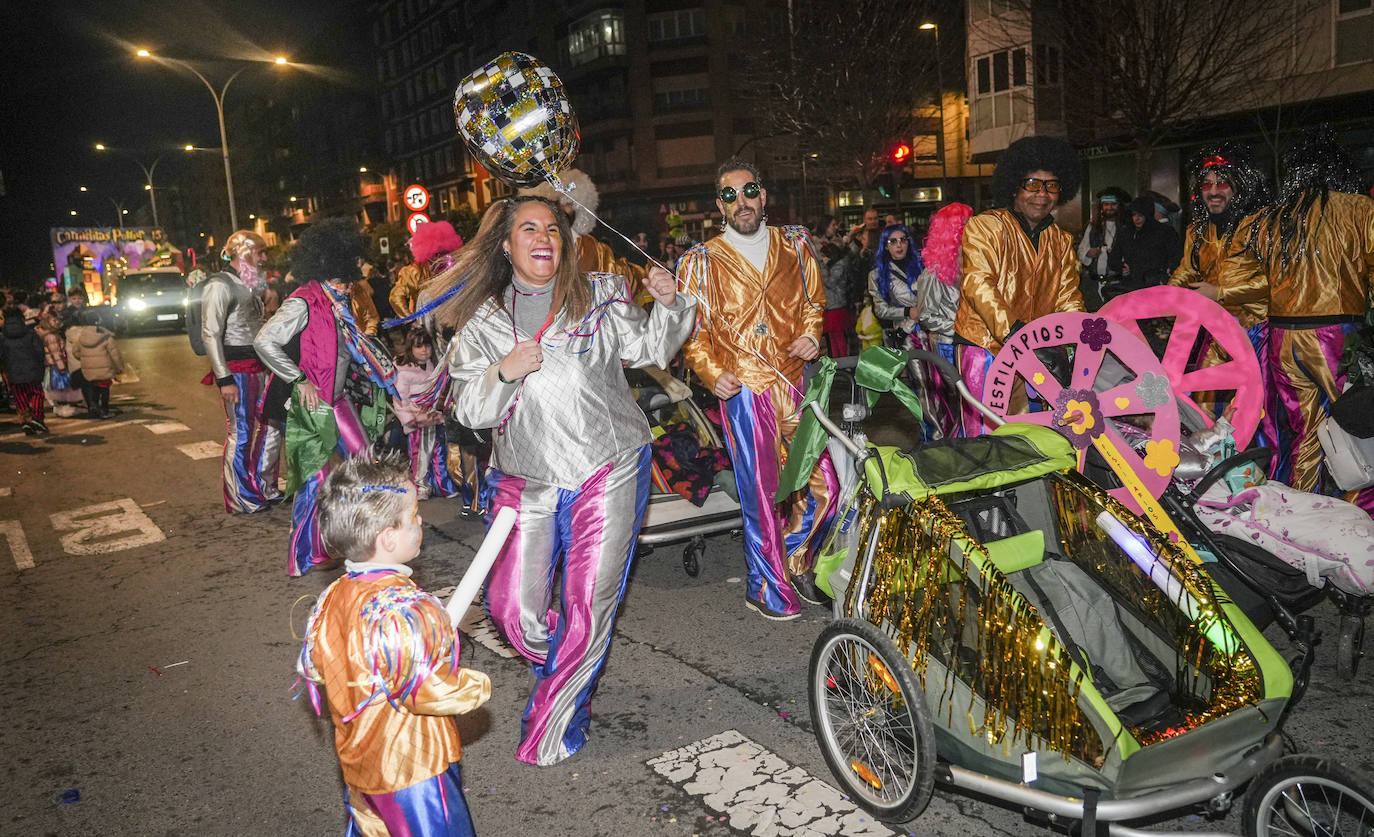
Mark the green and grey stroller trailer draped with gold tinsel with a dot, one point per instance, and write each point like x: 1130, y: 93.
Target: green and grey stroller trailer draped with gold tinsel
x: 1006, y: 626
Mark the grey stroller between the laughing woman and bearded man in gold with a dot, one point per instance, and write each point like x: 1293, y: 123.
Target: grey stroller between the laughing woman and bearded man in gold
x: 671, y: 517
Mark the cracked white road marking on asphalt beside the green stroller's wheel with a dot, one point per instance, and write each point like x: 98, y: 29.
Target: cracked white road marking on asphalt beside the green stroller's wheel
x: 761, y: 794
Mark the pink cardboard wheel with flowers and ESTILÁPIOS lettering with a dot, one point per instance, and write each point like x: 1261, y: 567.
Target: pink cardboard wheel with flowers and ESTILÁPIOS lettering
x: 1114, y: 377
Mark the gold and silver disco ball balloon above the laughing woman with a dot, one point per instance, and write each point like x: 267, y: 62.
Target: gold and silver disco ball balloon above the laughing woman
x: 516, y: 119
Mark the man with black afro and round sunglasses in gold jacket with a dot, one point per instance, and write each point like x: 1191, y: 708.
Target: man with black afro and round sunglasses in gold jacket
x: 1016, y: 263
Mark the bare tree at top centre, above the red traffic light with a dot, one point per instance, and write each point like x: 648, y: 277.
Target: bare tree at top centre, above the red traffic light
x: 846, y: 80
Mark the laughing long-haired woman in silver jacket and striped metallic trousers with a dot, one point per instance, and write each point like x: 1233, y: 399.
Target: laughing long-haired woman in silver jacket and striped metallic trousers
x: 539, y: 358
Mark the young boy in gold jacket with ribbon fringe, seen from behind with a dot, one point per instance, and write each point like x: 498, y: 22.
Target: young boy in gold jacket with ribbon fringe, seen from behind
x: 387, y: 655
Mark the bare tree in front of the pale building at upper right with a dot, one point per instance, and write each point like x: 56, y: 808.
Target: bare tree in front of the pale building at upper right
x: 1160, y: 67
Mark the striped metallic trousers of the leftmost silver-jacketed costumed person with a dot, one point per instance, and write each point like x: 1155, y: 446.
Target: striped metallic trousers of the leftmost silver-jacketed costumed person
x: 252, y: 449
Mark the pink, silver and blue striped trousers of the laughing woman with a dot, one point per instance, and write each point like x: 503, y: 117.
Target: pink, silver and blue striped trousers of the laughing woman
x: 587, y: 538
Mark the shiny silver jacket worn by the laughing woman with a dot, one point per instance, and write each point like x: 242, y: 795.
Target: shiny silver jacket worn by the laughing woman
x: 567, y: 420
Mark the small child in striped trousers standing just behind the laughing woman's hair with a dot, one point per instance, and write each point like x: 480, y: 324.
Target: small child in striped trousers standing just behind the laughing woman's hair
x: 424, y: 429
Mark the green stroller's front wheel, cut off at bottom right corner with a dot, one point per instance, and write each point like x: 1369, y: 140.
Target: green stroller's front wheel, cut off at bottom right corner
x: 1309, y: 795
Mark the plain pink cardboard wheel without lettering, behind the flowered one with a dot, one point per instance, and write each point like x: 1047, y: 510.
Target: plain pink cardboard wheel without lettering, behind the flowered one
x: 1195, y: 315
